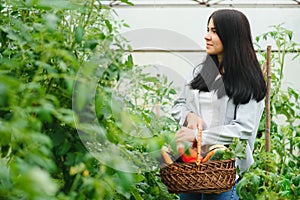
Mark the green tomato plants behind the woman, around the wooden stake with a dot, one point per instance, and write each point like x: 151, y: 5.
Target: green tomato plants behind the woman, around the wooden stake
x: 274, y: 174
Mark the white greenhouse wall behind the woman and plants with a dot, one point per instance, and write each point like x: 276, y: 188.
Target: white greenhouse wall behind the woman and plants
x: 171, y: 38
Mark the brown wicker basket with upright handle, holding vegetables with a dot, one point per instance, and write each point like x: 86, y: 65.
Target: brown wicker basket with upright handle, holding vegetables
x: 209, y: 177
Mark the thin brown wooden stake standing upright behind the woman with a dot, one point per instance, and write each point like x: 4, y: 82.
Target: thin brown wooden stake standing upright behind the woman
x: 268, y: 114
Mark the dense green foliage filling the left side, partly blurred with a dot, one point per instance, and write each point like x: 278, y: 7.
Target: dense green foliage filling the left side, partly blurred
x: 61, y: 62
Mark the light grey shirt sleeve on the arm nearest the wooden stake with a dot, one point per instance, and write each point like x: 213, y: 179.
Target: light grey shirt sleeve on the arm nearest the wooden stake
x: 244, y: 126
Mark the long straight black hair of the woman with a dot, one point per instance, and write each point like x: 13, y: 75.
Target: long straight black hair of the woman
x: 242, y: 77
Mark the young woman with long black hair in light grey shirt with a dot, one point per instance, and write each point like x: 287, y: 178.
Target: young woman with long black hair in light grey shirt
x: 224, y: 95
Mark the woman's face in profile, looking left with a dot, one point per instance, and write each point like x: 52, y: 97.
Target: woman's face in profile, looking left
x: 214, y: 45
